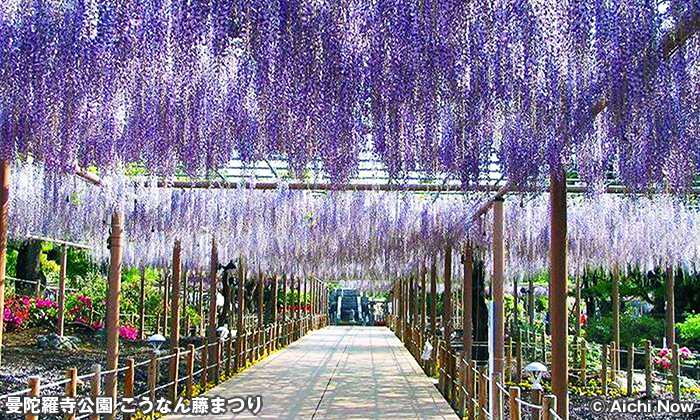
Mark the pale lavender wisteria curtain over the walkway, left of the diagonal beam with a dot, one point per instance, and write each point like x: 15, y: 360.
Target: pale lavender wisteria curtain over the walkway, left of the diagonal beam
x: 357, y: 235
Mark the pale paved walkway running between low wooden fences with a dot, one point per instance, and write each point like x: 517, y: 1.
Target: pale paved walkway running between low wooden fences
x: 338, y: 373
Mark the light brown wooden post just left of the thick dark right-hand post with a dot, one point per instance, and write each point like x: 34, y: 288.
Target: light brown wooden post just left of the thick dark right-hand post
x: 498, y: 298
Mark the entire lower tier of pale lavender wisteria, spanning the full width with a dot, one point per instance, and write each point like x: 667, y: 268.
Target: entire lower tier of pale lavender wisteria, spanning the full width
x: 367, y: 236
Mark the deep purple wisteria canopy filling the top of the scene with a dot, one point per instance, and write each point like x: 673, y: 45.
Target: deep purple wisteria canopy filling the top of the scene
x: 424, y: 84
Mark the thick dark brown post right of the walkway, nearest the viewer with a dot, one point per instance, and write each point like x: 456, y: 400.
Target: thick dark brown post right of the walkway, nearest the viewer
x: 558, y: 292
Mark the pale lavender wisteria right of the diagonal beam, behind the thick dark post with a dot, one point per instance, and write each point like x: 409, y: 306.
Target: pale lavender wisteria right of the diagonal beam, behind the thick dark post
x: 607, y: 231
